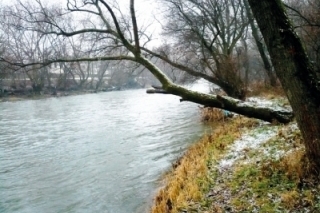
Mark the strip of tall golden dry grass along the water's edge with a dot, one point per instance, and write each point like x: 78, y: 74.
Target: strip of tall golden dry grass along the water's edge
x: 186, y: 185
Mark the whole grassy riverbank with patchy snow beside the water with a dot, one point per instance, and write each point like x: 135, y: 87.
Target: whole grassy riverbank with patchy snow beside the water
x: 243, y: 165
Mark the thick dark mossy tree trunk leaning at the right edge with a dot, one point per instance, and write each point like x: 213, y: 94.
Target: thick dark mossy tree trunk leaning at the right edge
x: 299, y: 79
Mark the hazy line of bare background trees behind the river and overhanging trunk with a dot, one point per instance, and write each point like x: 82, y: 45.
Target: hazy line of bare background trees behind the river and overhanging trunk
x: 215, y: 40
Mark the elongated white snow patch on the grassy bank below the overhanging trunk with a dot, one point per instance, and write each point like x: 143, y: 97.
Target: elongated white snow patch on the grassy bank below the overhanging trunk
x: 248, y: 141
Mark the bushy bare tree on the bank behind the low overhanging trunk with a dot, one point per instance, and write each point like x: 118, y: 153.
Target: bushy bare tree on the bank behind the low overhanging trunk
x: 208, y: 32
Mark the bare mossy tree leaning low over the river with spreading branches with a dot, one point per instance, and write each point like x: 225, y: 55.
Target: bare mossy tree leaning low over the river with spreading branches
x: 125, y: 36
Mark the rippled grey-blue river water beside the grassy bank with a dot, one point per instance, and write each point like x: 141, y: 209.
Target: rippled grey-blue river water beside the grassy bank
x: 90, y: 153
